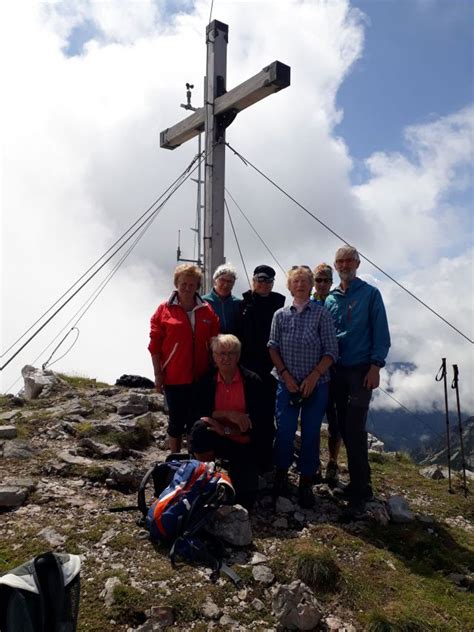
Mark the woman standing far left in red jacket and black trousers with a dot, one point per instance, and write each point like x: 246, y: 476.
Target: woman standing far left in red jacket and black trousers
x: 181, y: 329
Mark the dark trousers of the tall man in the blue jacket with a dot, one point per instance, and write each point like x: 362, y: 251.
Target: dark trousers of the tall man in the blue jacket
x: 352, y: 406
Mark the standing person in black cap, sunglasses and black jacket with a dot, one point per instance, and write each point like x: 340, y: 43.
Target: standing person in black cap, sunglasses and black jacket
x: 258, y: 307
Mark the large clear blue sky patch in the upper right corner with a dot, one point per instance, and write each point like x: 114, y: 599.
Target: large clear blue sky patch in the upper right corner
x: 417, y: 66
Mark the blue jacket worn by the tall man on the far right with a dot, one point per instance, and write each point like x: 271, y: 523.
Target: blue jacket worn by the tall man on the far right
x: 361, y: 324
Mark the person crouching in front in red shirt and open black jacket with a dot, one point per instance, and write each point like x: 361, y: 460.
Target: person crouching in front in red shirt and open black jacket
x: 229, y: 408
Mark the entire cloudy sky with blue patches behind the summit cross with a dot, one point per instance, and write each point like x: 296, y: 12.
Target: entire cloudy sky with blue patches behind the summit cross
x: 374, y: 136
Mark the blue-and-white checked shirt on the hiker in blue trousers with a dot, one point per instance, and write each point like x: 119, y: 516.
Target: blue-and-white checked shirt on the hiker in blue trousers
x: 302, y: 339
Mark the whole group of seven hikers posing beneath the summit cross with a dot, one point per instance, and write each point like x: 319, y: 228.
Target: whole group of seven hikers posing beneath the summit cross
x: 239, y: 374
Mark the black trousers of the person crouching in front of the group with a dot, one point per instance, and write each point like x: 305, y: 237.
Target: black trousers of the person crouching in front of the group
x: 241, y: 456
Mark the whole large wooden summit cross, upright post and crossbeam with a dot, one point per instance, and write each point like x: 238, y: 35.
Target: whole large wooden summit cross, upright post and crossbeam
x: 219, y: 110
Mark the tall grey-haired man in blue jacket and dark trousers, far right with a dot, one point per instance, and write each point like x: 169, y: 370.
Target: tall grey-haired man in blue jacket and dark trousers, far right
x: 364, y: 341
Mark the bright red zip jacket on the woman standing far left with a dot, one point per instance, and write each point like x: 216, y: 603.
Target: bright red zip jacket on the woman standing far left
x: 184, y: 354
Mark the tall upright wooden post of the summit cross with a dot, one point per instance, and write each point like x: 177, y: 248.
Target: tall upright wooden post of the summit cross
x: 216, y: 74
